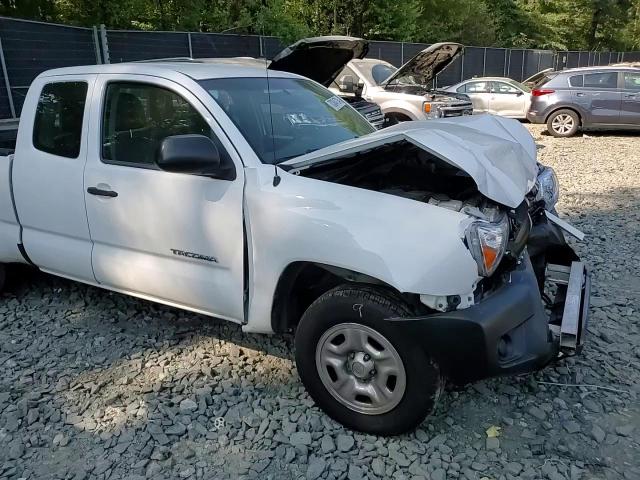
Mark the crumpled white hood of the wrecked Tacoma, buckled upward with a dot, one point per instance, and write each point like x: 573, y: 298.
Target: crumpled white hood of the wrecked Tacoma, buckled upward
x: 498, y: 153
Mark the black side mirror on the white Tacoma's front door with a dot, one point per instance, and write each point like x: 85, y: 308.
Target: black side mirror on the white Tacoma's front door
x: 193, y: 154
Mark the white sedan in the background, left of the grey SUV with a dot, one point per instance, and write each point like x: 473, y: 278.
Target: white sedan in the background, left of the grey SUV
x: 497, y: 95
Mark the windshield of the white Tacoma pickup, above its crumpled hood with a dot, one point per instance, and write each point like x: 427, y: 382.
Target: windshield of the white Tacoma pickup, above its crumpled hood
x: 303, y: 116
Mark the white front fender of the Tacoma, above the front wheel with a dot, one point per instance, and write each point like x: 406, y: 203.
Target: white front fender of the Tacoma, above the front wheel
x: 414, y: 247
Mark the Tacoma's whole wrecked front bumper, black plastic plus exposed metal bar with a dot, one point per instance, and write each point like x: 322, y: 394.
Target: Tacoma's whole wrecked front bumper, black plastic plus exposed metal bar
x: 509, y: 331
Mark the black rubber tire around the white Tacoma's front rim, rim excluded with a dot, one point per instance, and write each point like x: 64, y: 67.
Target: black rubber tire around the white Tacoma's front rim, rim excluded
x: 338, y: 306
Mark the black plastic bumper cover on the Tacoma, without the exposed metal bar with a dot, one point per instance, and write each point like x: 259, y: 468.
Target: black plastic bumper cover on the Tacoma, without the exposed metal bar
x: 465, y: 343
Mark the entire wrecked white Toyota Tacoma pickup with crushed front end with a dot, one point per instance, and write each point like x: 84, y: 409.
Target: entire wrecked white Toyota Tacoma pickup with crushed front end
x: 400, y: 258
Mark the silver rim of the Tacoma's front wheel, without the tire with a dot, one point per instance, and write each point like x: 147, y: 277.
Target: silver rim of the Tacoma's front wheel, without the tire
x: 360, y: 368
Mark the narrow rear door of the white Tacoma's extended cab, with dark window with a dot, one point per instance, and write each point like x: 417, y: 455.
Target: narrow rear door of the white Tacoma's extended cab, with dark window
x: 47, y: 175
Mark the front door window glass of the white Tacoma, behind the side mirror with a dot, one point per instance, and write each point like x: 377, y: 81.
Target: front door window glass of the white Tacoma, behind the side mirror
x: 138, y: 117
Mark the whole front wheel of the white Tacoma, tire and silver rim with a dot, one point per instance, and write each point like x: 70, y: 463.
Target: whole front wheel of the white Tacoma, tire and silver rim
x: 359, y: 367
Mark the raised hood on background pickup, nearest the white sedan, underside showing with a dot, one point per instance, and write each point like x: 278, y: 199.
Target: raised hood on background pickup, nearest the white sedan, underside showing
x: 426, y: 64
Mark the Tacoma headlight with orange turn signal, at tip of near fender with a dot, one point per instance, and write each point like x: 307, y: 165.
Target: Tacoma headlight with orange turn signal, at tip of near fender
x: 487, y: 243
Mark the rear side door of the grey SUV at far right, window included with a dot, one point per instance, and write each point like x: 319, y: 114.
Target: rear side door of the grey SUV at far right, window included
x: 600, y: 96
